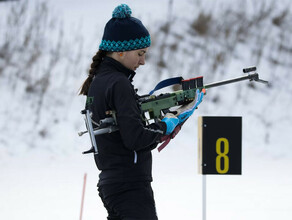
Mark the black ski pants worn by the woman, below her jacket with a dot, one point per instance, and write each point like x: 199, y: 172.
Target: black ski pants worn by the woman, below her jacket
x: 128, y: 201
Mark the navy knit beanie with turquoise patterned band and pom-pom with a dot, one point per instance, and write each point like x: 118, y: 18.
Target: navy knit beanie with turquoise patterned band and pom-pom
x: 123, y: 32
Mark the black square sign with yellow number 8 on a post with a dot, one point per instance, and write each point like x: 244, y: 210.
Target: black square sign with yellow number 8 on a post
x: 219, y: 145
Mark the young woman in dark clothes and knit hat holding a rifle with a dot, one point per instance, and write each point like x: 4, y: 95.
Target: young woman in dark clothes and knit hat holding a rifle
x: 124, y: 157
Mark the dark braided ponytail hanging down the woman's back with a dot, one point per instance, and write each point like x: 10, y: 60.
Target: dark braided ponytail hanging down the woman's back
x: 97, y: 59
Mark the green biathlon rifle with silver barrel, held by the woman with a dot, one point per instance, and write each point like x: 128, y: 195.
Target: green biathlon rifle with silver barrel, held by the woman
x: 157, y: 106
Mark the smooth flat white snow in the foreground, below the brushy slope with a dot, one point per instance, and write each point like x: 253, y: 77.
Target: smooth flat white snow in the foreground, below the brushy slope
x: 42, y: 185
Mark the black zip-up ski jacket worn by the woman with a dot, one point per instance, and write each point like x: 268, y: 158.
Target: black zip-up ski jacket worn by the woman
x: 124, y: 155
